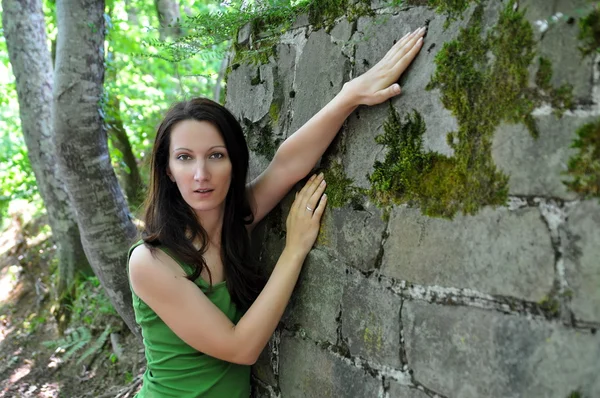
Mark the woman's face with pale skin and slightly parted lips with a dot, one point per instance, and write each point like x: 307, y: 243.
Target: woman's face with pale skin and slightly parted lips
x: 199, y: 164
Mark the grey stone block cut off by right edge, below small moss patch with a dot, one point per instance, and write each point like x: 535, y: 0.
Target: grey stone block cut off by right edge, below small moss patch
x: 582, y: 259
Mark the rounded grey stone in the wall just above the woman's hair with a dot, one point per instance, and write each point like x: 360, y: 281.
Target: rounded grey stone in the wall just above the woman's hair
x: 240, y: 88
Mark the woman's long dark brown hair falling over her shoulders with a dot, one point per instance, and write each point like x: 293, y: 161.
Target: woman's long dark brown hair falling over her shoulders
x: 172, y: 223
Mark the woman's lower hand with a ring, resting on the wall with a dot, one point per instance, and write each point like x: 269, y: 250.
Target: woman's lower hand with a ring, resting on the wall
x: 305, y: 216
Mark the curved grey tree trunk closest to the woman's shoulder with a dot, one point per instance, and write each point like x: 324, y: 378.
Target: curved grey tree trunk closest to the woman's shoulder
x: 102, y: 213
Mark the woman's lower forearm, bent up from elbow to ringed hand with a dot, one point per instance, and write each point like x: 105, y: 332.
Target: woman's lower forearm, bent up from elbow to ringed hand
x: 255, y: 328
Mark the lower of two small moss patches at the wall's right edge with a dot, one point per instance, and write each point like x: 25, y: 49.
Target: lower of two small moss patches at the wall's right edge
x: 584, y: 167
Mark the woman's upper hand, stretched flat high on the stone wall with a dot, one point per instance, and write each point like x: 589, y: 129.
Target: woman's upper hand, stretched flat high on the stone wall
x: 378, y: 84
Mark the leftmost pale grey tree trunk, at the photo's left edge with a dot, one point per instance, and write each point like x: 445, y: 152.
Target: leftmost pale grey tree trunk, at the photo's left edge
x: 25, y: 32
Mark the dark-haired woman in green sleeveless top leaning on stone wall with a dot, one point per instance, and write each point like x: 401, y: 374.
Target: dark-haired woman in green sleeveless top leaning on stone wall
x: 203, y: 310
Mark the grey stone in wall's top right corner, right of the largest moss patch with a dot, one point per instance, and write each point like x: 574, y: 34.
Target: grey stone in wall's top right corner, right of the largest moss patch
x: 559, y: 43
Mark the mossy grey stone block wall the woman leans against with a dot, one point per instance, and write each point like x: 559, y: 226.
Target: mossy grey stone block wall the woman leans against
x: 492, y: 293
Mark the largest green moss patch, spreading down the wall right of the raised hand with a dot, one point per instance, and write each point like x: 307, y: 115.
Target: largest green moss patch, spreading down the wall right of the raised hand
x: 481, y: 94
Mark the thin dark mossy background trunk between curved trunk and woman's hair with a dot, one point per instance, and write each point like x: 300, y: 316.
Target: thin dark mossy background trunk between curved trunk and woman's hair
x: 130, y: 174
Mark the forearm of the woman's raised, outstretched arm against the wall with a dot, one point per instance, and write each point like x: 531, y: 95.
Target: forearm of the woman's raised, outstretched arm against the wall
x: 300, y: 152
